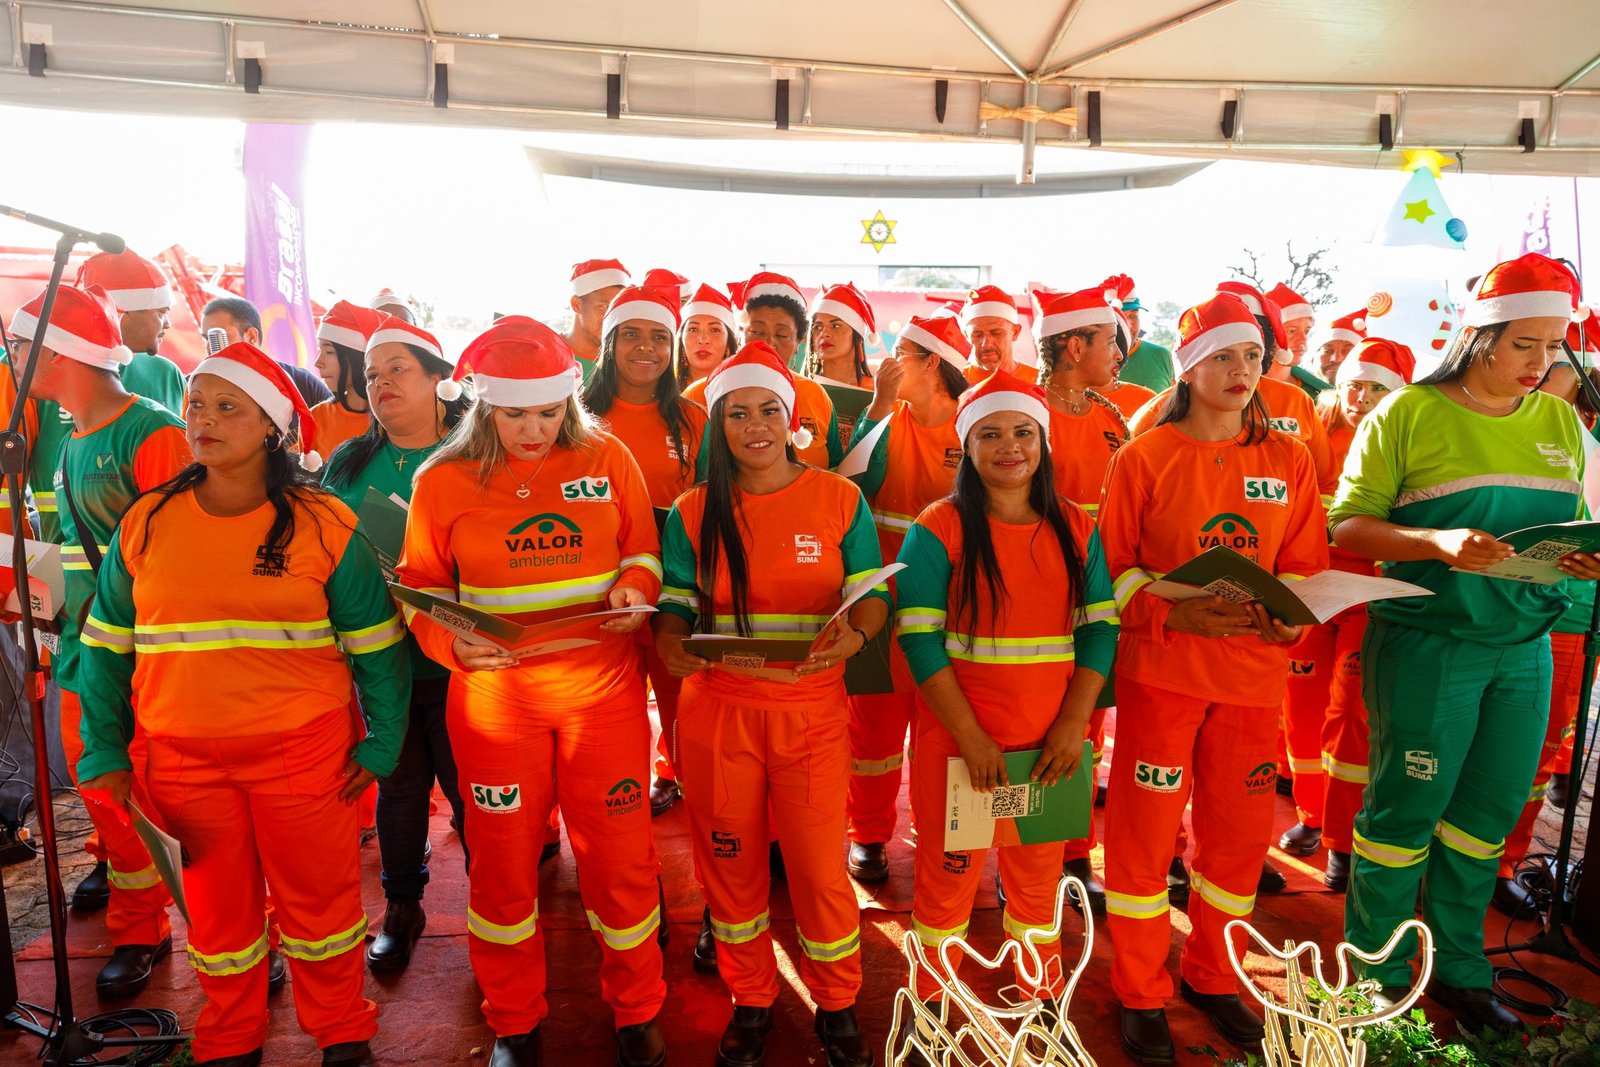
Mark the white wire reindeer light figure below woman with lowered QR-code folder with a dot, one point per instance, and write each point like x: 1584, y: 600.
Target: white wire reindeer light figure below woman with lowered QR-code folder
x: 964, y: 1031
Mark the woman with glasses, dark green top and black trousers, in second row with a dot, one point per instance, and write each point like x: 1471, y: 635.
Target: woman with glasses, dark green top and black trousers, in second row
x: 404, y: 366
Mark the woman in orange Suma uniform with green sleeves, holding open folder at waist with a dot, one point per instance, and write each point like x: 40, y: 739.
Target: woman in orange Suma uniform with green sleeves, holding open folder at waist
x: 754, y: 745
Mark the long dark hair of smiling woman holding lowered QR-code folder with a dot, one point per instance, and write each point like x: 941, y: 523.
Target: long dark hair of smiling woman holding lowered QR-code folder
x: 980, y: 565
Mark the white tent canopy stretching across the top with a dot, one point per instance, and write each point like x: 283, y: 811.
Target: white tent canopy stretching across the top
x: 1295, y: 81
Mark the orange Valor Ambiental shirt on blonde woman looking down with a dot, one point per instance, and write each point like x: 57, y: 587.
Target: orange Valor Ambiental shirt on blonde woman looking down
x: 585, y: 527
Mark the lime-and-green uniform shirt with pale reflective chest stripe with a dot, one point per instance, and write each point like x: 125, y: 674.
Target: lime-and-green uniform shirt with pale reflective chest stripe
x: 1422, y: 460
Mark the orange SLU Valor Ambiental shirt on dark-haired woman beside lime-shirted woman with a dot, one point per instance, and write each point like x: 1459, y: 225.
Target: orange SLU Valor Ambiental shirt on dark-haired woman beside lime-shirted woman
x: 1170, y: 498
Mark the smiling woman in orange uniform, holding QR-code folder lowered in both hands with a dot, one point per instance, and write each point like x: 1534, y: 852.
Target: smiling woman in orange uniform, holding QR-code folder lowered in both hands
x: 1007, y: 621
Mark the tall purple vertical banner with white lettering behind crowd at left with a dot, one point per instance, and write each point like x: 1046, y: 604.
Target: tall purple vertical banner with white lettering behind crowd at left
x: 276, y: 241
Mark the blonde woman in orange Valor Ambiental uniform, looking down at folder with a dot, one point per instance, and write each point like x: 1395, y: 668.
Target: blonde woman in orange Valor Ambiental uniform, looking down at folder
x: 530, y: 511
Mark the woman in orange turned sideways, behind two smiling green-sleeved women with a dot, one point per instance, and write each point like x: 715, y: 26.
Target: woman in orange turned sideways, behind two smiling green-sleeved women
x: 911, y: 466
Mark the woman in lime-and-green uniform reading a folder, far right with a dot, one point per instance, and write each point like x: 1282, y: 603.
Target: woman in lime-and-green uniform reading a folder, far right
x: 1458, y: 685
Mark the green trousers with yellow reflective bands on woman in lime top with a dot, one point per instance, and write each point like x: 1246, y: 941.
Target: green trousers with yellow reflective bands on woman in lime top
x: 1455, y: 743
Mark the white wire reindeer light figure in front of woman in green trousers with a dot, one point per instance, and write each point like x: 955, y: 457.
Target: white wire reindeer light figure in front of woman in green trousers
x: 1326, y: 1033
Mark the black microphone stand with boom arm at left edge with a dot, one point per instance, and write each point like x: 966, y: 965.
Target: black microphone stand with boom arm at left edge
x: 66, y: 1039
